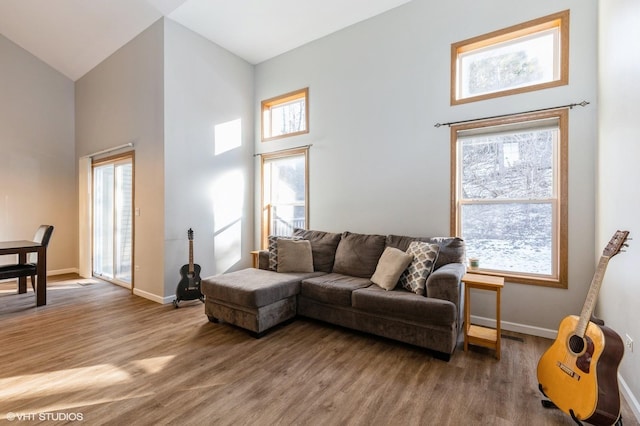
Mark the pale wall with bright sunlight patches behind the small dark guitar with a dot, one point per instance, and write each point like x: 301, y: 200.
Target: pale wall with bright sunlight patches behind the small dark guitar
x: 207, y: 187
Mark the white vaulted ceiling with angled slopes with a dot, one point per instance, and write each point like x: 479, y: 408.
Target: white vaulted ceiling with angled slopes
x: 73, y: 36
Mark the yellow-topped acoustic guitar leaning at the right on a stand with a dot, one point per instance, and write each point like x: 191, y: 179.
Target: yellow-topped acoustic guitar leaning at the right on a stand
x: 579, y: 372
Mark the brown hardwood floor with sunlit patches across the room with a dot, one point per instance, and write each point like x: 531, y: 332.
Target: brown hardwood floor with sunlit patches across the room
x: 98, y: 353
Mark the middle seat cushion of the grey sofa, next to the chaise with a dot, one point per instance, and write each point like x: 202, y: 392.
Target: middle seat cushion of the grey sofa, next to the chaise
x: 334, y: 289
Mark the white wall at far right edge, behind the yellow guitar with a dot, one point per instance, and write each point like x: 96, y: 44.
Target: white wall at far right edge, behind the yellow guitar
x: 618, y: 175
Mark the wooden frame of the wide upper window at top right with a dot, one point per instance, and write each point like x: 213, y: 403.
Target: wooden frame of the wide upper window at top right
x: 558, y: 20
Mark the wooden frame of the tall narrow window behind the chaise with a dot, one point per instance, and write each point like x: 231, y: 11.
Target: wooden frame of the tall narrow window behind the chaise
x: 265, y: 203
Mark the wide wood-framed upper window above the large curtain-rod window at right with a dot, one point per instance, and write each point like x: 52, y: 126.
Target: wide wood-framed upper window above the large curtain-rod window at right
x: 530, y: 56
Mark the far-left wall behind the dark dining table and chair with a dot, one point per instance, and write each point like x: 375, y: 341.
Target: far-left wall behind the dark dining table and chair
x: 37, y: 165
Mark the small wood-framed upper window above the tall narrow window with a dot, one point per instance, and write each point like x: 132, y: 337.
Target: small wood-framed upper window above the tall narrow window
x: 285, y: 115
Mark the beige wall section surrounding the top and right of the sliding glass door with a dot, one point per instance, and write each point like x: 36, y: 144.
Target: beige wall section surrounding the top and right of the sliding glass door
x: 120, y: 101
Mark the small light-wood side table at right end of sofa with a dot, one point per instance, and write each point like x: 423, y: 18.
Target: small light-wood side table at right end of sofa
x: 476, y: 334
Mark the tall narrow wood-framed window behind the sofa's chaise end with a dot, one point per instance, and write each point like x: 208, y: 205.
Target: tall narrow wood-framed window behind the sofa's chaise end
x: 284, y: 192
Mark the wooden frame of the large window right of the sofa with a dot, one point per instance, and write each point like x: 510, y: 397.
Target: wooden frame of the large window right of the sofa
x: 558, y: 278
